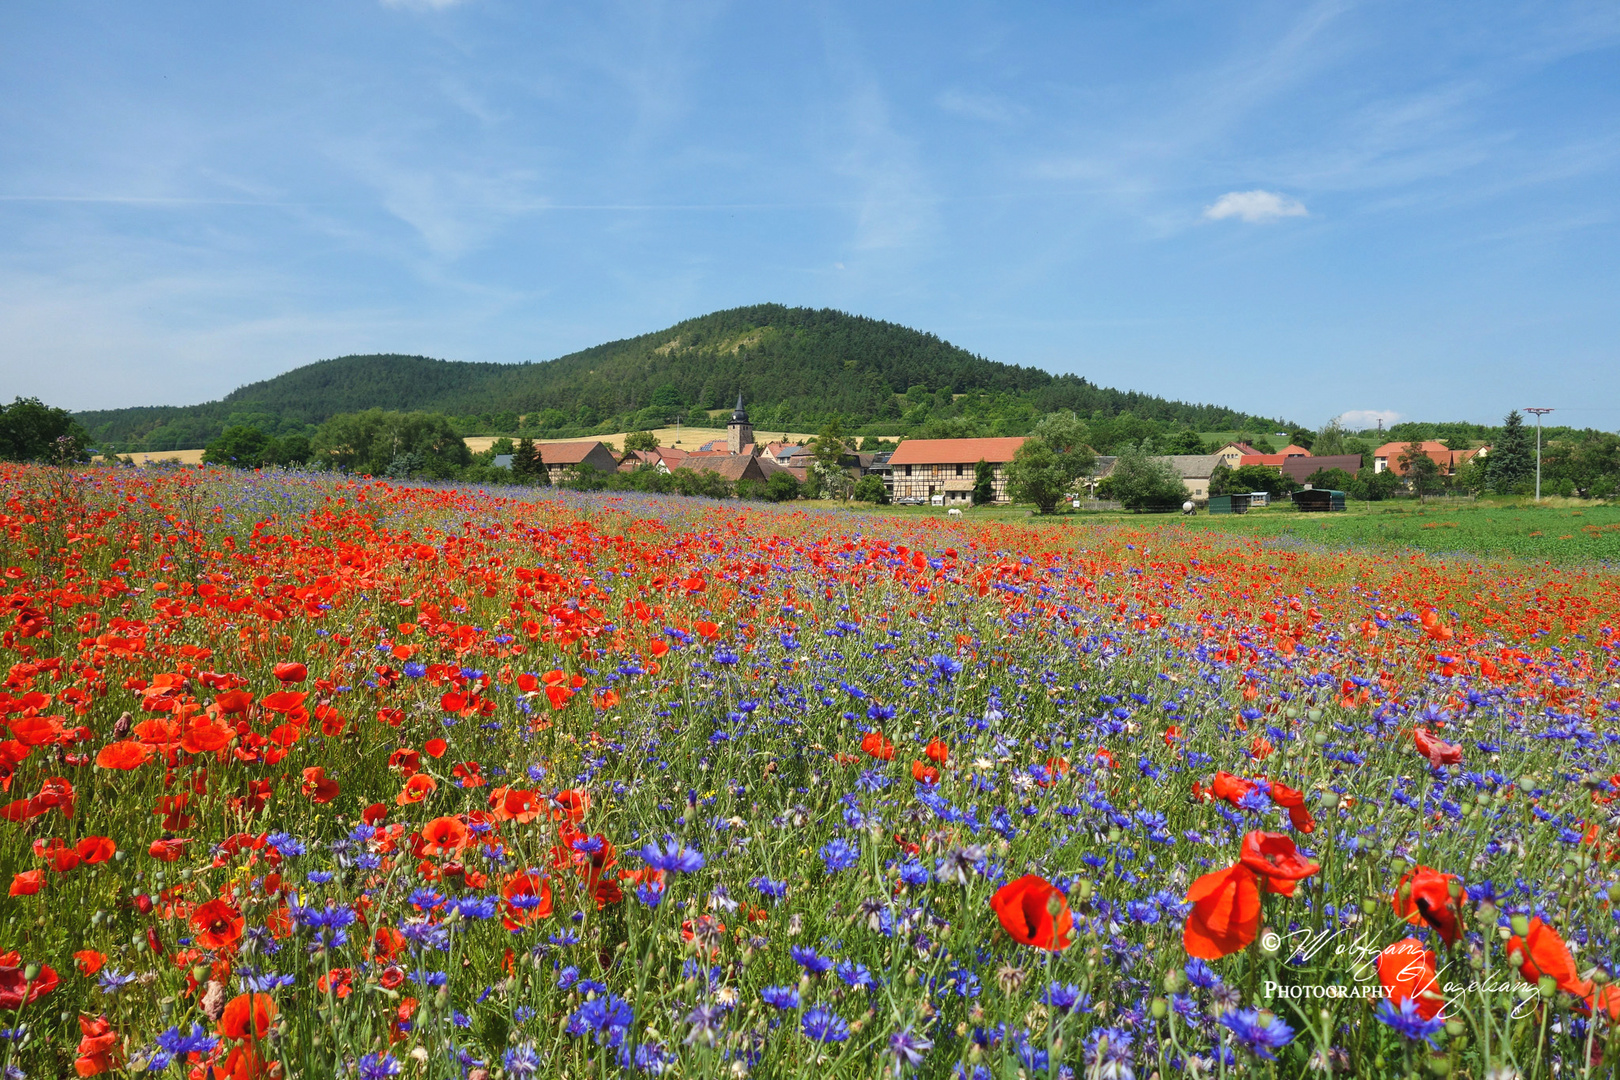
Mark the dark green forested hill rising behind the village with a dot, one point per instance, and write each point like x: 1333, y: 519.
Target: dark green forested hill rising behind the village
x: 798, y: 368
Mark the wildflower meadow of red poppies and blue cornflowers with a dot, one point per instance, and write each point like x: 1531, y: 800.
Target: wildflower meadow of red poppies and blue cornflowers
x: 338, y: 778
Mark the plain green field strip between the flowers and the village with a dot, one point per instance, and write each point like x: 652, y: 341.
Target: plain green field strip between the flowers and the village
x: 1561, y: 530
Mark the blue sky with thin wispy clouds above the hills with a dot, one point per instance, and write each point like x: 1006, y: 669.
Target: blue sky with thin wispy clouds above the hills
x: 1303, y: 210
